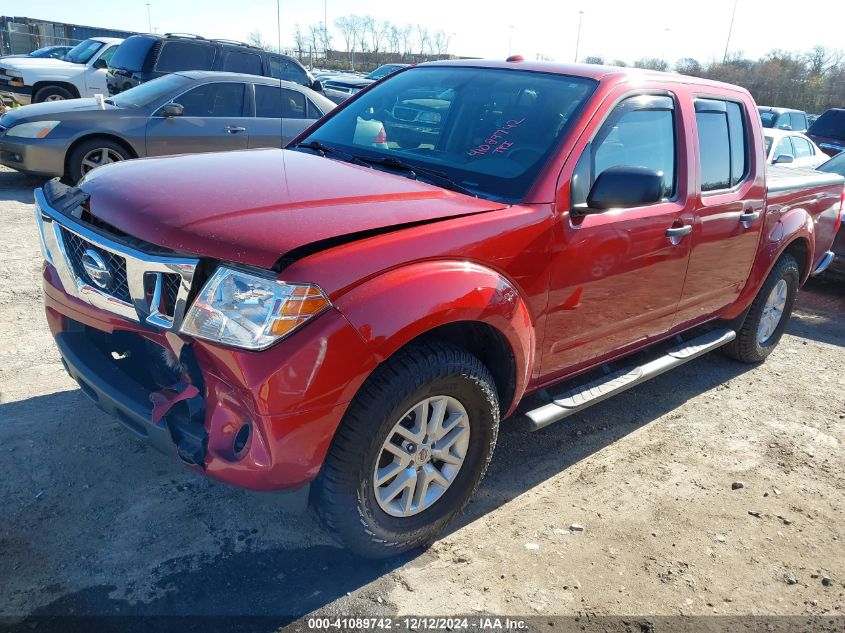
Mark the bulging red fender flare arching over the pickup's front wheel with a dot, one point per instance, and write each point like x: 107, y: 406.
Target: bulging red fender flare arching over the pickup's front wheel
x: 394, y: 308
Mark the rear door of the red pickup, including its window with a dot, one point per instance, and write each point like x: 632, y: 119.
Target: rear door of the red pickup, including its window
x: 729, y: 213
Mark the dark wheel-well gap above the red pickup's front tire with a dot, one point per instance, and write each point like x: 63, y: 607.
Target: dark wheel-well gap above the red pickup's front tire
x: 489, y: 346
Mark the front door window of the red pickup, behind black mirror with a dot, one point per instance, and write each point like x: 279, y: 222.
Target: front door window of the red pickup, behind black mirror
x: 640, y: 132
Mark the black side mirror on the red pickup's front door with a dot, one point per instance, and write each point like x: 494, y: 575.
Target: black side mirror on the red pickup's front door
x: 624, y: 186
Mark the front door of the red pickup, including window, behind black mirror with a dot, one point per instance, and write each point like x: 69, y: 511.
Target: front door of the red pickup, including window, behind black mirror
x: 617, y: 276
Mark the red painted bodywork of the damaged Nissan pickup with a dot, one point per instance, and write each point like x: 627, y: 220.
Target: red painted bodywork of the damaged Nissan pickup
x: 566, y: 293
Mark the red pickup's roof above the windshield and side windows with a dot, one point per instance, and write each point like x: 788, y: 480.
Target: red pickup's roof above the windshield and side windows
x: 590, y: 71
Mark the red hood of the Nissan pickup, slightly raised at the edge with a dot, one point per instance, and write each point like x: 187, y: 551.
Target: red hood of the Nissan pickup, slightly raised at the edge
x: 254, y: 206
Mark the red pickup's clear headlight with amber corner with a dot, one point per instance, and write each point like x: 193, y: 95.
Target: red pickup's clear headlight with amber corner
x: 243, y: 310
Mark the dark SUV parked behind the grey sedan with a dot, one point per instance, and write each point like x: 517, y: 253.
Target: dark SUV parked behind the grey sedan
x: 143, y: 57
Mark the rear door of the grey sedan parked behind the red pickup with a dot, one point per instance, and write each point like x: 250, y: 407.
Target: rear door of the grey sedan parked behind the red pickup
x: 280, y: 115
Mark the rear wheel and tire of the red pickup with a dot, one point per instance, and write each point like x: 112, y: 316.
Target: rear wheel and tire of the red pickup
x: 748, y: 346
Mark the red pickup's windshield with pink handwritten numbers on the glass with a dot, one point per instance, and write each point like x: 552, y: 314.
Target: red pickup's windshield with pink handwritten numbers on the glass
x: 487, y: 130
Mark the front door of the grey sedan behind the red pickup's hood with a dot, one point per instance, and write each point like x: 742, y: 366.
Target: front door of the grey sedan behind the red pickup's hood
x: 214, y: 119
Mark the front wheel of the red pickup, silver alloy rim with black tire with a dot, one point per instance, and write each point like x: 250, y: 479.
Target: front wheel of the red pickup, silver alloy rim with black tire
x: 346, y: 496
